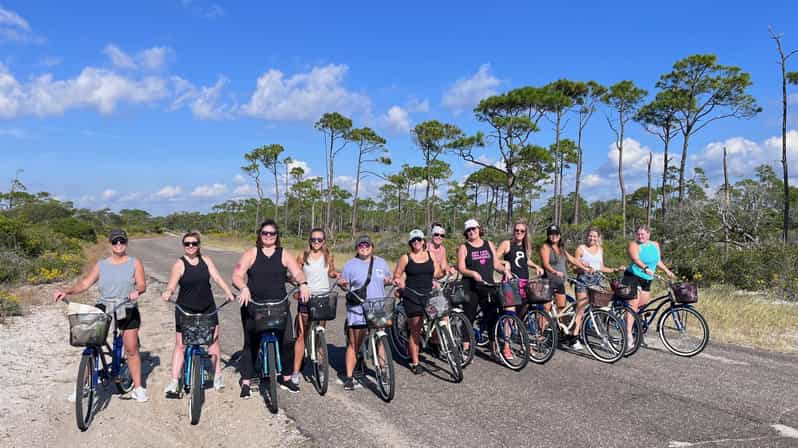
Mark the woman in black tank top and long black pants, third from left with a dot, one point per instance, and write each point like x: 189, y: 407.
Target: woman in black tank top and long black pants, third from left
x: 266, y: 267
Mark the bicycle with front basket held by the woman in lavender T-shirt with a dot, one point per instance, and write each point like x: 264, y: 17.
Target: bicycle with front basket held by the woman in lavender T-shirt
x: 379, y: 314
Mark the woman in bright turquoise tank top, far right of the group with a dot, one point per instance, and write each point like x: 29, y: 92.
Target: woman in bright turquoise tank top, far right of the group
x: 645, y: 258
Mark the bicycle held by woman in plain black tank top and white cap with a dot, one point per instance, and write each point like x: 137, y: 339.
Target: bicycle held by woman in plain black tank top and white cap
x: 434, y: 324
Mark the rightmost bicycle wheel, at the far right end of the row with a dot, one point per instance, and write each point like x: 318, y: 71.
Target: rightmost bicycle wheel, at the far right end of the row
x: 683, y: 331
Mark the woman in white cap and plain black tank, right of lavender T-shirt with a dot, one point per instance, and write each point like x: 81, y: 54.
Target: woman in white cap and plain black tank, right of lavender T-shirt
x: 414, y: 273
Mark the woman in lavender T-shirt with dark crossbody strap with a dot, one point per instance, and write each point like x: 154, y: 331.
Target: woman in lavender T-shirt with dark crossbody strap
x: 364, y: 271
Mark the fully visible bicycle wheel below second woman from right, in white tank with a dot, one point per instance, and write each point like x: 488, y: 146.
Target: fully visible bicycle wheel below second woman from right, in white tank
x: 603, y: 334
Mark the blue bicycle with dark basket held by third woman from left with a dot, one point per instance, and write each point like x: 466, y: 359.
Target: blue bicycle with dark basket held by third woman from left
x: 269, y: 318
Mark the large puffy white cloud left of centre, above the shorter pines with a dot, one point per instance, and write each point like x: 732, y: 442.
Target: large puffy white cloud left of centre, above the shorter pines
x: 304, y: 96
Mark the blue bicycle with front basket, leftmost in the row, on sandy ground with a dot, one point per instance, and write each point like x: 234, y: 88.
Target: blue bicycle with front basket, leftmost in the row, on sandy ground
x: 89, y: 329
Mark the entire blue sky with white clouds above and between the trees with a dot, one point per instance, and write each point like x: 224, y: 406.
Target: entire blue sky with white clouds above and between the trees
x: 152, y: 104
